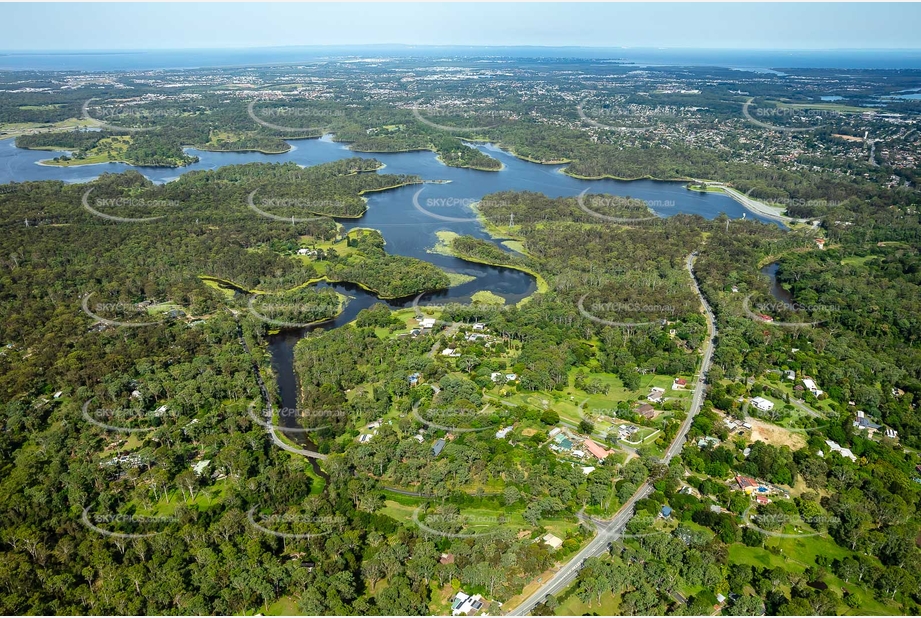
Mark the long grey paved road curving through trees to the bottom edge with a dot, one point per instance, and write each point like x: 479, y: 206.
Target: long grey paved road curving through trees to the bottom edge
x: 609, y: 530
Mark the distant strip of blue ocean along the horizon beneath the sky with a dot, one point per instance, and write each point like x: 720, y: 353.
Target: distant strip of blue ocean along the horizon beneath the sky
x: 139, y: 60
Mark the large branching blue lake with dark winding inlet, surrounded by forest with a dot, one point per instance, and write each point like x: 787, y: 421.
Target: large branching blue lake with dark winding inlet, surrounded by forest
x: 407, y: 230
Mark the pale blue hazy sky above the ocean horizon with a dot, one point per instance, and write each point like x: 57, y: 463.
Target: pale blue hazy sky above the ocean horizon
x: 122, y: 26
